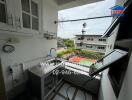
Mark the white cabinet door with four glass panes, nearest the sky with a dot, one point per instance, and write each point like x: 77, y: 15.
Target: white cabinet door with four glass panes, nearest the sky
x: 27, y: 16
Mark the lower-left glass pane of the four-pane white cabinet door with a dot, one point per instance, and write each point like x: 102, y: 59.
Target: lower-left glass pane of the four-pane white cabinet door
x: 26, y: 20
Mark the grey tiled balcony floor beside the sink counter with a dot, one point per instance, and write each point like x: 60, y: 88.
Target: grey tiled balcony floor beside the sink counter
x: 74, y: 93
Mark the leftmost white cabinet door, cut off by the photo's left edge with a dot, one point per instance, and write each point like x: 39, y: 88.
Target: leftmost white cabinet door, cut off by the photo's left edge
x: 6, y: 15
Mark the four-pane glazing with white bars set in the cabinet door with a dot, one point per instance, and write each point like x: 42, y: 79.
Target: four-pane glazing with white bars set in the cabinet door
x: 30, y: 14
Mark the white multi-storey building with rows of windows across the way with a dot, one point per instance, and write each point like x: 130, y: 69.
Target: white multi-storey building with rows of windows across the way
x: 91, y: 42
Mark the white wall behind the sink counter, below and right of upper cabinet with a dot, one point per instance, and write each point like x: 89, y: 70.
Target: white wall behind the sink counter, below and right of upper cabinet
x: 29, y: 47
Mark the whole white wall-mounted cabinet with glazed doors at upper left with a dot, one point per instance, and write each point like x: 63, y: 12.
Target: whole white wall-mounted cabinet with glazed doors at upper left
x: 21, y: 16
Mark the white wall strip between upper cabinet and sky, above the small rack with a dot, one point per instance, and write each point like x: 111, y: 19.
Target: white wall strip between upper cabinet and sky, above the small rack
x: 50, y: 14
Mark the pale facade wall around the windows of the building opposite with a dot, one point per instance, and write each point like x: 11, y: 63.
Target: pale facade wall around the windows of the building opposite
x: 95, y: 43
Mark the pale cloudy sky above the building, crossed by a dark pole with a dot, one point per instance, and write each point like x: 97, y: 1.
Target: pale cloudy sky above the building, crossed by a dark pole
x: 94, y: 26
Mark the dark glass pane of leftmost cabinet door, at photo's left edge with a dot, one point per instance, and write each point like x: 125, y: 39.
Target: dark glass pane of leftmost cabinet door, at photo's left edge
x: 2, y: 13
